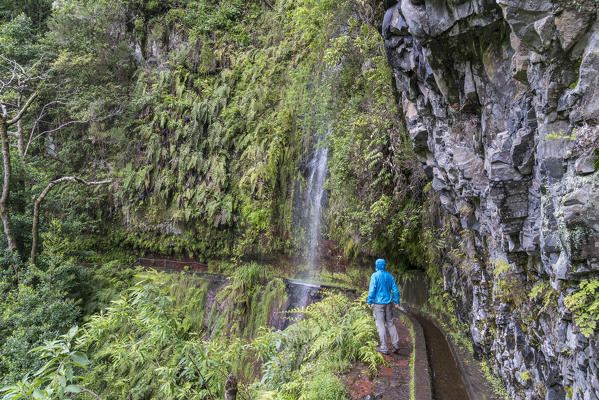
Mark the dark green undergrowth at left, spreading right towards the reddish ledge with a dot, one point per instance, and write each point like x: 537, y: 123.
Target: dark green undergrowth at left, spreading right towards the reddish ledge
x: 41, y: 302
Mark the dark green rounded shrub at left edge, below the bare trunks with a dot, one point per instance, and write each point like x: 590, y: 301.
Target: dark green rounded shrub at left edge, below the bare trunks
x: 37, y: 303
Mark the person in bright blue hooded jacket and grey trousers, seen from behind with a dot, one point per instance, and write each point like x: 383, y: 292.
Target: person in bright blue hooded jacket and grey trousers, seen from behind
x: 380, y: 298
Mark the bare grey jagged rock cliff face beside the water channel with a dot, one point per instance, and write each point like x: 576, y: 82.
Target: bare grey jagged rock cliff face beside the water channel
x: 501, y: 100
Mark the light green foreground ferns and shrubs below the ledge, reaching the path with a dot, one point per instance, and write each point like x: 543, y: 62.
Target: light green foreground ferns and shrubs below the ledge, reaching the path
x: 156, y: 341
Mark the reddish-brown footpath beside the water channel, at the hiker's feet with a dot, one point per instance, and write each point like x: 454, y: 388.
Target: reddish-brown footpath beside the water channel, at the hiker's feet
x: 392, y: 382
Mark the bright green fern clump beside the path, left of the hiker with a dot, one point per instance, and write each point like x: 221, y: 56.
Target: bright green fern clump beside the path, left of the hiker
x: 328, y: 336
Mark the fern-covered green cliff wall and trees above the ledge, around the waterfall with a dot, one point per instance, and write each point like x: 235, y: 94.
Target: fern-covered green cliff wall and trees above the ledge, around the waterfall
x: 201, y: 114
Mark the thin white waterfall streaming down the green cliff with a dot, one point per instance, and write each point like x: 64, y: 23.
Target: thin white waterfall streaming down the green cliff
x: 314, y: 196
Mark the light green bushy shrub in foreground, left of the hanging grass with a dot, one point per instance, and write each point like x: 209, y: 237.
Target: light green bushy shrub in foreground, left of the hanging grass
x: 144, y: 345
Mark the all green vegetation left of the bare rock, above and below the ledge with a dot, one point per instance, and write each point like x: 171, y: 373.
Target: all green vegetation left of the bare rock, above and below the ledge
x: 184, y: 127
